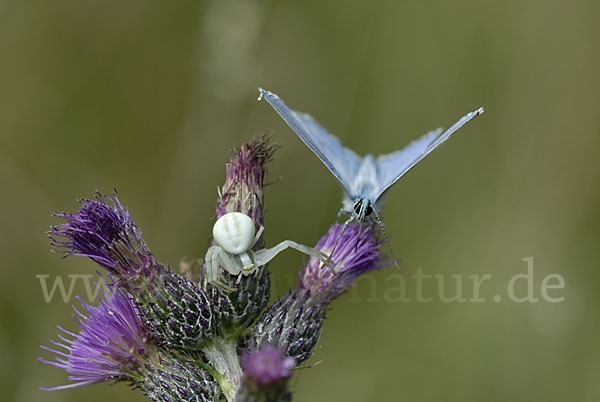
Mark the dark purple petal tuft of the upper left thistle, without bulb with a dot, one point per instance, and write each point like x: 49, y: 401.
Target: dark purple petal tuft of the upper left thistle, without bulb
x: 102, y: 230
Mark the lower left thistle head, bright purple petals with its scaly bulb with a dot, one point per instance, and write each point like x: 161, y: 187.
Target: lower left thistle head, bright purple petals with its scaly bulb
x: 113, y: 346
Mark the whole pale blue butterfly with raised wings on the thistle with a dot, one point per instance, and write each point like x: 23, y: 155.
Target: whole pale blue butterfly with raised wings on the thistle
x: 363, y: 179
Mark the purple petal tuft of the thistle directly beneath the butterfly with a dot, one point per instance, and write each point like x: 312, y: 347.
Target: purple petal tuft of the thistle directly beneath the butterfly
x: 357, y: 252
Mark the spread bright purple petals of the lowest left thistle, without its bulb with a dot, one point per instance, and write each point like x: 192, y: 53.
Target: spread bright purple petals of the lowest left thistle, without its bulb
x: 112, y: 344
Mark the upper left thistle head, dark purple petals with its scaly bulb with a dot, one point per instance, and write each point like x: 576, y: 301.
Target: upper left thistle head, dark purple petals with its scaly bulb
x: 174, y: 309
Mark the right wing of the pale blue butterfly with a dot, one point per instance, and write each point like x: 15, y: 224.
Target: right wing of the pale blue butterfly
x: 392, y: 167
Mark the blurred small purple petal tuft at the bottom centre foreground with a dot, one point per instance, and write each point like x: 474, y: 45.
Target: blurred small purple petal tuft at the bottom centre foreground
x: 267, y: 366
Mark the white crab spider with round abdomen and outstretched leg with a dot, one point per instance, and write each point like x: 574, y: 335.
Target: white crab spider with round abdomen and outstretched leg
x: 235, y: 236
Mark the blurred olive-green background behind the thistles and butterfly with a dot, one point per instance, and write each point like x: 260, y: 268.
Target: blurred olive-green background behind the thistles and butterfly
x: 148, y: 97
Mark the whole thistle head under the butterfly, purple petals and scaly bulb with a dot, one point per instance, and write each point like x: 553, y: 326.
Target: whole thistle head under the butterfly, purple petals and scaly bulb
x: 295, y: 321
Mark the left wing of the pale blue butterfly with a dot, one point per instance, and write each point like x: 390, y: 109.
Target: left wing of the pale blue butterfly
x: 341, y: 161
